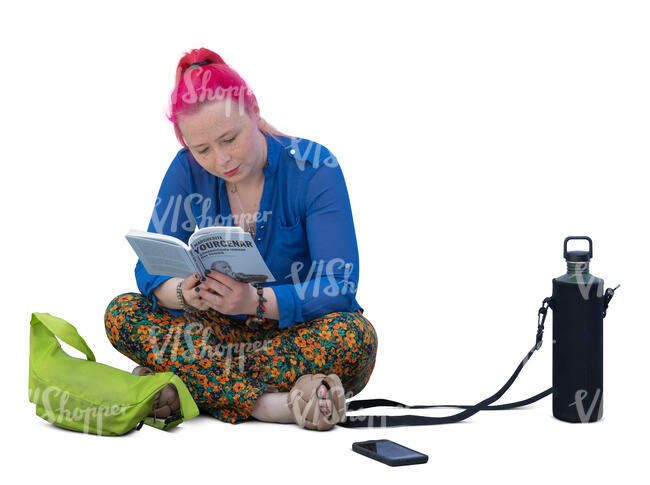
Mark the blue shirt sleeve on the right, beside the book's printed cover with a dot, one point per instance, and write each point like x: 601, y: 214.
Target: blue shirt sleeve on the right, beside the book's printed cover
x: 333, y: 251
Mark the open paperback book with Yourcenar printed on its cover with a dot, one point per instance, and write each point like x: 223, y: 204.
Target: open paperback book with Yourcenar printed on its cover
x: 227, y: 249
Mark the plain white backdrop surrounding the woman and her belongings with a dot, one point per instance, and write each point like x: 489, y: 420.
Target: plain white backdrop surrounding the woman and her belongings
x: 475, y: 136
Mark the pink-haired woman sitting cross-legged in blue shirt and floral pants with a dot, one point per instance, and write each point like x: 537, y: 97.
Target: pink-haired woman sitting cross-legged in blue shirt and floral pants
x: 286, y: 351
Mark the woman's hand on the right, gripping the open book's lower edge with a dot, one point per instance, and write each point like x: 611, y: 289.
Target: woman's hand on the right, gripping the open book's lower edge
x: 227, y: 295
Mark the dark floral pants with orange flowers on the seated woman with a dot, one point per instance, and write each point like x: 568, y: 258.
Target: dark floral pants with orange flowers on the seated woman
x: 226, y: 366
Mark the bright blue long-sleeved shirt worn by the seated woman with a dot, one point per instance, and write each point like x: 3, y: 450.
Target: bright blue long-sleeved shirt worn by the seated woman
x: 304, y: 230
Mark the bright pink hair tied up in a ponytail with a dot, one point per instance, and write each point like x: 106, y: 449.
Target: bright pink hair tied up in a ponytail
x: 206, y: 83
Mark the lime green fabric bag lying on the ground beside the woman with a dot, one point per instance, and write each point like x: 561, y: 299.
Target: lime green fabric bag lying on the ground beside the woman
x: 84, y: 395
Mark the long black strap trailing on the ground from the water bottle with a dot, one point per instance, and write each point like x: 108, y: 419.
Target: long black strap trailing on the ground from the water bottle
x: 414, y: 420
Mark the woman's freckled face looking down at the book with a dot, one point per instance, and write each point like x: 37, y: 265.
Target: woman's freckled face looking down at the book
x: 222, y: 139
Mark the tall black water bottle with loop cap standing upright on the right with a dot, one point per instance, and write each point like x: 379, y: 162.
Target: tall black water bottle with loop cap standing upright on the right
x: 578, y: 306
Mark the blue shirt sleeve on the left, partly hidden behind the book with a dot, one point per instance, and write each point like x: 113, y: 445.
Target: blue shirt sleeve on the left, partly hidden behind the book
x: 170, y: 216
